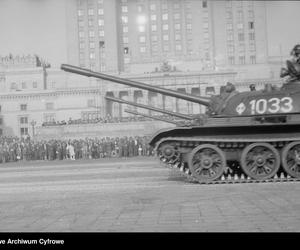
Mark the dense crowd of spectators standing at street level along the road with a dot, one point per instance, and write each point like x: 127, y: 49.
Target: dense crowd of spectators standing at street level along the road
x: 25, y: 149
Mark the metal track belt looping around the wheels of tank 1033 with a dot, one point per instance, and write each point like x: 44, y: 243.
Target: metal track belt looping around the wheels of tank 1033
x: 230, y: 177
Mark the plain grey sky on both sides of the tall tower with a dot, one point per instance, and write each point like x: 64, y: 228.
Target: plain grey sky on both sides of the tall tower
x: 38, y: 27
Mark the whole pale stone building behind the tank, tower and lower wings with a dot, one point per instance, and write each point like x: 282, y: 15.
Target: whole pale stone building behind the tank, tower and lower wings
x: 189, y: 46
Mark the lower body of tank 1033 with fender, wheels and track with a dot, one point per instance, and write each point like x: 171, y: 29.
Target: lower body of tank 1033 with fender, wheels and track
x: 253, y: 153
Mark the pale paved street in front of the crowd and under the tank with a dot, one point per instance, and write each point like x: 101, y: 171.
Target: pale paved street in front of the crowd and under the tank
x: 137, y: 195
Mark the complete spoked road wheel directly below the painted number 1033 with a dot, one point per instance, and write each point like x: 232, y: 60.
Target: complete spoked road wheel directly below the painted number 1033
x: 260, y: 161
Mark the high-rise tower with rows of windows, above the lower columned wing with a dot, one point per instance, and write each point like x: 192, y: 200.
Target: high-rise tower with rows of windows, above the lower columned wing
x: 135, y: 36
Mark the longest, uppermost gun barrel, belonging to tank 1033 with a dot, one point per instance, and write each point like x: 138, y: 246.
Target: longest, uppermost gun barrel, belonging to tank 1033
x: 86, y: 72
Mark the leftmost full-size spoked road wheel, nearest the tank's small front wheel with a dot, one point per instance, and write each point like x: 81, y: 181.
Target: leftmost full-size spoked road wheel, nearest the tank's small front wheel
x: 207, y: 162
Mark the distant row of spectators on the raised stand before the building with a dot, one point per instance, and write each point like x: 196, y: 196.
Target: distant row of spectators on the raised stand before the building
x: 106, y: 119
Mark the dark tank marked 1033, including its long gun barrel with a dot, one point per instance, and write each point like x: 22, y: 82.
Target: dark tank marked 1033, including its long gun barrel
x: 251, y: 136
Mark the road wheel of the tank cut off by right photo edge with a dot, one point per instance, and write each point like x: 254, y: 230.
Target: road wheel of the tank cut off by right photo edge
x: 290, y: 159
